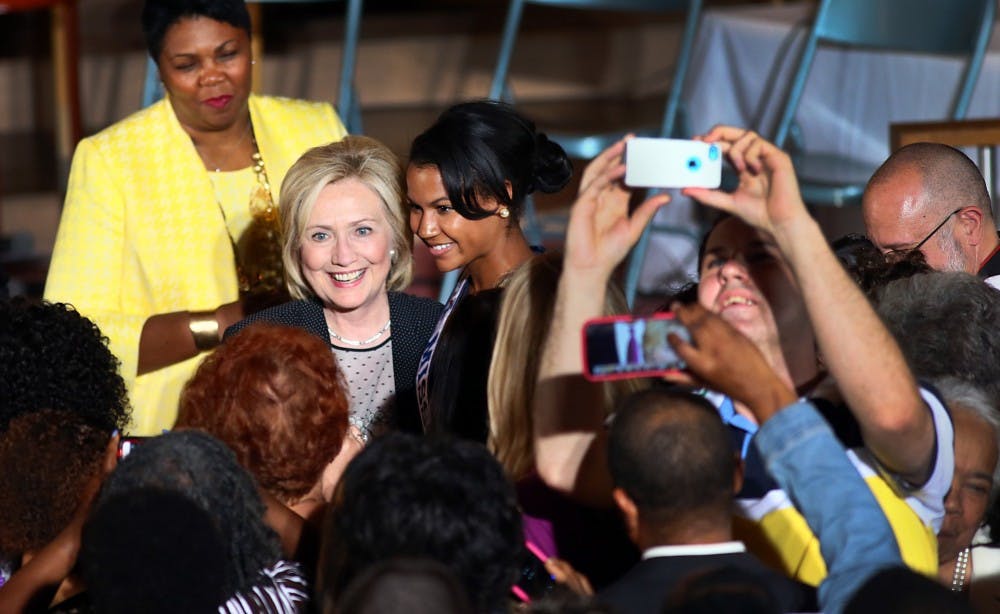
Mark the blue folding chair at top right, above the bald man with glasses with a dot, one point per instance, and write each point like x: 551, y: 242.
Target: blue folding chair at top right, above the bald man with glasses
x: 954, y: 28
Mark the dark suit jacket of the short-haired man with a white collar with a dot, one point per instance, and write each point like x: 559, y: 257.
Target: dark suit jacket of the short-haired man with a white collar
x: 646, y: 586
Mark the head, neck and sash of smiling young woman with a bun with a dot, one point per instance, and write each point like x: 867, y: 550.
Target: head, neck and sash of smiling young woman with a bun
x: 467, y: 180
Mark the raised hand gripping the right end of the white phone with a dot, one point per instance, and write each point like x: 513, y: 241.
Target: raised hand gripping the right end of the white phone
x: 768, y: 193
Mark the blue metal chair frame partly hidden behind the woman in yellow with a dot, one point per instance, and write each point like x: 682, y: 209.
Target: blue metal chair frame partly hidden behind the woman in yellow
x: 348, y: 105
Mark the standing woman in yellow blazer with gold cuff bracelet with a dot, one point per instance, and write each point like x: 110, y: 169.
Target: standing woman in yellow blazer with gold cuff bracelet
x: 169, y: 230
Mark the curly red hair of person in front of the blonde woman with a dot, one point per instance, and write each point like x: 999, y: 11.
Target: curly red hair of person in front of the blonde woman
x: 275, y: 396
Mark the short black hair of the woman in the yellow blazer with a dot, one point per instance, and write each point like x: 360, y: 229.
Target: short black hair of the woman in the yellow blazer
x: 159, y: 15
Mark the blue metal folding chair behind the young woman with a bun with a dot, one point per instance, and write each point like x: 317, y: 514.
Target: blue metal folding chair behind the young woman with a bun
x: 586, y: 146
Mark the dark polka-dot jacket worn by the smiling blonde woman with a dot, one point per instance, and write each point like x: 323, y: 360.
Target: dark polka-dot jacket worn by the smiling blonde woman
x: 413, y: 321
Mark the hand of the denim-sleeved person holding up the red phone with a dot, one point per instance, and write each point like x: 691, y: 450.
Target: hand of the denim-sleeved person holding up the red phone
x: 724, y: 360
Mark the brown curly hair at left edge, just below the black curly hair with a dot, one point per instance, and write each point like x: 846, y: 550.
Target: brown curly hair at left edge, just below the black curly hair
x: 48, y: 456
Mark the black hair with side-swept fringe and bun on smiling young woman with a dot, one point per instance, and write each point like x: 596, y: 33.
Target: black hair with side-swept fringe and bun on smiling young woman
x: 481, y: 147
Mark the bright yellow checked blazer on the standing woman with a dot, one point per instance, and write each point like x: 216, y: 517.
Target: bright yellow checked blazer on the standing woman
x: 141, y: 233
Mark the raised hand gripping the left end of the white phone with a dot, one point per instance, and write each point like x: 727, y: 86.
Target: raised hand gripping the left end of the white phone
x: 601, y: 231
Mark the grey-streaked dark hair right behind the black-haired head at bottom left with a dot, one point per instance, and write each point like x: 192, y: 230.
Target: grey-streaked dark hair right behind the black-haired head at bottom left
x: 202, y: 469
